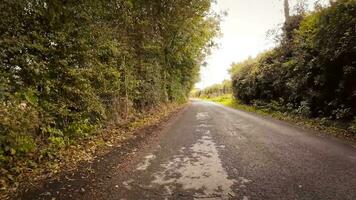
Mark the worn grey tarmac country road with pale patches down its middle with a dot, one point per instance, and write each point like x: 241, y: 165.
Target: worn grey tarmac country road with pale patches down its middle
x: 214, y: 152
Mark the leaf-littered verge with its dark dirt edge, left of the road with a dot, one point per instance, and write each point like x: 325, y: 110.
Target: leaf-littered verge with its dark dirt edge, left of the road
x: 78, y: 159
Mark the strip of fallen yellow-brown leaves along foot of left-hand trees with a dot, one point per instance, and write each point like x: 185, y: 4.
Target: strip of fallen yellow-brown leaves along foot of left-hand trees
x: 28, y: 171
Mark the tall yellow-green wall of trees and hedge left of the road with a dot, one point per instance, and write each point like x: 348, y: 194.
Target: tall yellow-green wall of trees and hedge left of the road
x: 68, y: 68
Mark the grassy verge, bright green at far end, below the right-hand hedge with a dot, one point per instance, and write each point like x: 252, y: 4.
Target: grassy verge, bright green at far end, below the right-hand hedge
x: 327, y: 126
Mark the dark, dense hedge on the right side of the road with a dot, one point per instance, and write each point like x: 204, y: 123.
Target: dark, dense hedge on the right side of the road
x: 313, y: 70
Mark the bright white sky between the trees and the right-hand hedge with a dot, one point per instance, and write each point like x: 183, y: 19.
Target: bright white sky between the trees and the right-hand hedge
x: 244, y: 34
